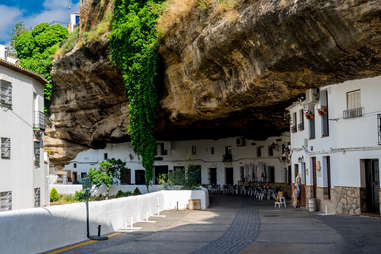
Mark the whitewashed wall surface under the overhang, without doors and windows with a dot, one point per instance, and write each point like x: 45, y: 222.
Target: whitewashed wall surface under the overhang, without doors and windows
x: 180, y: 151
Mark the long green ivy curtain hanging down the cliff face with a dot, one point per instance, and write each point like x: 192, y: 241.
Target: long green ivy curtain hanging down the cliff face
x: 133, y: 44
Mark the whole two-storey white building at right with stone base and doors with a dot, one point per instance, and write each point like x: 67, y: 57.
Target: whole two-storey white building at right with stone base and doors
x: 337, y: 151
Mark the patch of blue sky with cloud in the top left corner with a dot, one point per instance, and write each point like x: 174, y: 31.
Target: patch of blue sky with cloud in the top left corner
x: 32, y: 12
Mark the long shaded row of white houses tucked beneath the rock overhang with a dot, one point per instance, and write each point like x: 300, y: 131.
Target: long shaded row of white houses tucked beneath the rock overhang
x: 224, y: 161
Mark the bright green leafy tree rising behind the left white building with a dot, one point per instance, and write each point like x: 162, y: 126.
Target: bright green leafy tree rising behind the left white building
x: 36, y: 48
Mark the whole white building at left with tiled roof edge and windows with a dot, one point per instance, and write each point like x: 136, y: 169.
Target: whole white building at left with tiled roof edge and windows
x: 22, y: 169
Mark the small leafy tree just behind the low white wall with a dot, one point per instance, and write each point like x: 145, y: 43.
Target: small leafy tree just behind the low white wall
x: 107, y: 174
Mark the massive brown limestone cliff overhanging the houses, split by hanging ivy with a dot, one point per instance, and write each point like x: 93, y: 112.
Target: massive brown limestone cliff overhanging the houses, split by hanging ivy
x: 223, y: 75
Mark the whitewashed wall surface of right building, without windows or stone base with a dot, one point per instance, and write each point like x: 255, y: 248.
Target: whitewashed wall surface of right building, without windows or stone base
x: 349, y: 141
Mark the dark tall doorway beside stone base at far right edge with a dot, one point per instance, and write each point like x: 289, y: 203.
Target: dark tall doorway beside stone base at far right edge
x: 372, y: 185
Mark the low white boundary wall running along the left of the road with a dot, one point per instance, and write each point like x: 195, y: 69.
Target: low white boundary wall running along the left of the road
x: 41, y: 229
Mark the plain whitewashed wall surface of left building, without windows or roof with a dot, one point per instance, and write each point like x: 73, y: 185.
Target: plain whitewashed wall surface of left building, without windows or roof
x: 19, y: 174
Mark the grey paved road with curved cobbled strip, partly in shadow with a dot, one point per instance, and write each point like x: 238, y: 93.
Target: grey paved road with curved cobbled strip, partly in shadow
x: 239, y: 225
